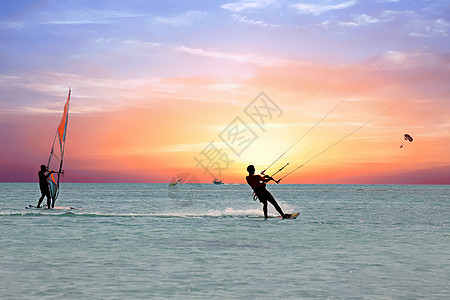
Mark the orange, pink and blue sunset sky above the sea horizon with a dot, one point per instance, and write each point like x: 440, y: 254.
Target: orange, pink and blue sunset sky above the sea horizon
x: 162, y: 88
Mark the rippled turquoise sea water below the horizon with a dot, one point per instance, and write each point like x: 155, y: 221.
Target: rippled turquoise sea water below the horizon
x: 204, y: 241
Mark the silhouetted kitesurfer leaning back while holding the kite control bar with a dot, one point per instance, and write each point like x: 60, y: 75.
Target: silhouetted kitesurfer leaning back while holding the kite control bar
x: 258, y: 184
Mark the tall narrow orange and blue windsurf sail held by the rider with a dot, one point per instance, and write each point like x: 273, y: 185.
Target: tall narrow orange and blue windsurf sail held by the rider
x: 55, y: 160
